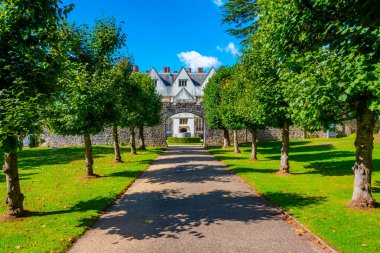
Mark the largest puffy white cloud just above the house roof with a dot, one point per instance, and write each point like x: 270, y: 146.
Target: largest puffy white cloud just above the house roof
x: 195, y: 60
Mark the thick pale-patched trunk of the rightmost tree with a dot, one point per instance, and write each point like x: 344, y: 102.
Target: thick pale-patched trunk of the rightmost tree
x: 362, y: 197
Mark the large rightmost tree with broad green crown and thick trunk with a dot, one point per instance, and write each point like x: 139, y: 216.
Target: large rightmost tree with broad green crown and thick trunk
x: 333, y: 65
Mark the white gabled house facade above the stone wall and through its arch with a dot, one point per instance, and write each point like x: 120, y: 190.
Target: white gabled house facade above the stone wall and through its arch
x: 184, y: 86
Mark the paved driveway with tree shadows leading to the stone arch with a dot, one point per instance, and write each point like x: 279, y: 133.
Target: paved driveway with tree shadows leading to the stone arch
x: 188, y: 202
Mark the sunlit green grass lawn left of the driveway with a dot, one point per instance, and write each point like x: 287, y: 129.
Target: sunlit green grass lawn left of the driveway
x: 61, y: 204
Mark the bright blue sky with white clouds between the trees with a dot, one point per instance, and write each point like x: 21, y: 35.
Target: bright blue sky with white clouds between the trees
x: 171, y: 33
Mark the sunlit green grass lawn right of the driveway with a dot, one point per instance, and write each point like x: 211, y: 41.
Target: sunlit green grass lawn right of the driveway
x: 318, y: 190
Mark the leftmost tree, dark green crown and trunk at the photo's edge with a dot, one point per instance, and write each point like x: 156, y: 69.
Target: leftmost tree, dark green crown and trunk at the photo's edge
x: 29, y: 67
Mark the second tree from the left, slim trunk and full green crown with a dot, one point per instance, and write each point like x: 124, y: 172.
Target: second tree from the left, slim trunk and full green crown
x: 84, y: 107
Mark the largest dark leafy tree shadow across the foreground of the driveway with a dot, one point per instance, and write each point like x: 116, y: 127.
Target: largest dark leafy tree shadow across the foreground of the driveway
x: 169, y: 213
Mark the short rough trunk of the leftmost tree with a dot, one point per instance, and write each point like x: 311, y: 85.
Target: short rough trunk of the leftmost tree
x: 14, y: 198
